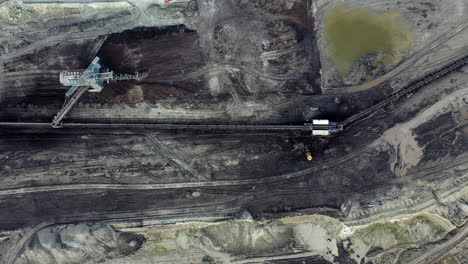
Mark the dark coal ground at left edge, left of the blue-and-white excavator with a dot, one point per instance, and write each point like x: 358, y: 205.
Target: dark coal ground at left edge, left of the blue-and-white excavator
x: 36, y: 79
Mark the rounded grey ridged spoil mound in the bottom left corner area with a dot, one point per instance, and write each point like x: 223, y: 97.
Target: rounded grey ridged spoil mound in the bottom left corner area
x: 80, y: 243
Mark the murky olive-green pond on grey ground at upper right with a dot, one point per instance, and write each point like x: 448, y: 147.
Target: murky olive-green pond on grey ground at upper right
x: 353, y: 33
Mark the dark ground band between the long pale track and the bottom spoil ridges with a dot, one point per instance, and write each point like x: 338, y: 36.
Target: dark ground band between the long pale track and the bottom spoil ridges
x: 88, y: 205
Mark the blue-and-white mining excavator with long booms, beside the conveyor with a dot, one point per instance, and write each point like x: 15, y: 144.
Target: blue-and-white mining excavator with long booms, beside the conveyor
x: 92, y: 79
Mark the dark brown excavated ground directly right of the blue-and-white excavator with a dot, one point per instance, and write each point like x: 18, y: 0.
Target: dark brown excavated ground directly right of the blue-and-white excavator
x: 165, y: 54
